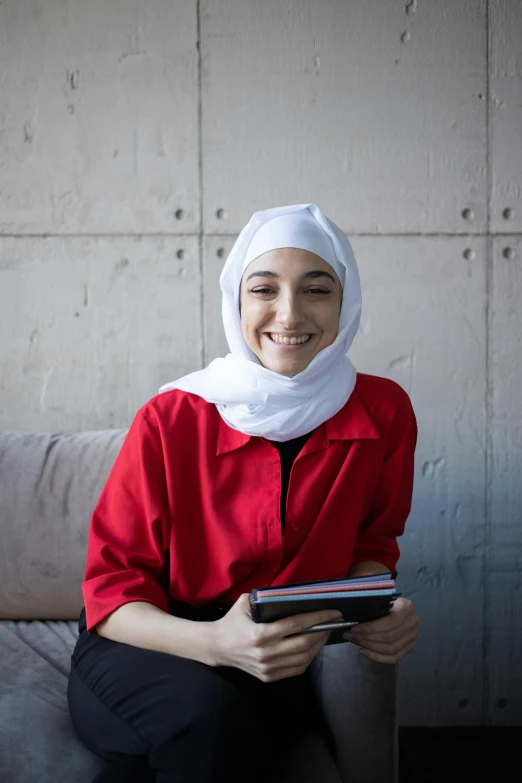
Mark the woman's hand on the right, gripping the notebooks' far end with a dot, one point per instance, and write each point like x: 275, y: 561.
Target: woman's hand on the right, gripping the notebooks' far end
x: 390, y: 638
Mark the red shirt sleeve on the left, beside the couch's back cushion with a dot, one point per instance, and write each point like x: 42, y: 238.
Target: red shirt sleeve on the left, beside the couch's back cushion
x: 128, y: 535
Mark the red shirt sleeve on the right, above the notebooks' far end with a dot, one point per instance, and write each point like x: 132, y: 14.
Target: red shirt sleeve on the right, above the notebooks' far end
x: 391, y: 505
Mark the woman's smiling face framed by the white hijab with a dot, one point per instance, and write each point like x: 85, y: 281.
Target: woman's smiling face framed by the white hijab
x: 290, y: 305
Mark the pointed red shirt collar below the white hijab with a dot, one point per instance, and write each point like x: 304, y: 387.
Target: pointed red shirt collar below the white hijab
x: 352, y: 422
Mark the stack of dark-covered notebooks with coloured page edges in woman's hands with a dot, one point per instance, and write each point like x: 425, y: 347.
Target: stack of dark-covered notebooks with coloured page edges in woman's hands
x: 359, y: 599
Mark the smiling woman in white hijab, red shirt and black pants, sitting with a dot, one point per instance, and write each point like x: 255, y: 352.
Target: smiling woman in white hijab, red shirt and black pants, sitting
x: 277, y: 464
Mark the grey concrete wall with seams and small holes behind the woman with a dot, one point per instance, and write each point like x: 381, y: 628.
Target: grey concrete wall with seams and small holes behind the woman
x: 137, y: 138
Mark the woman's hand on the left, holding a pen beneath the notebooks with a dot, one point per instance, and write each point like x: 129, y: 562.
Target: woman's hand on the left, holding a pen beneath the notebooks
x: 261, y: 649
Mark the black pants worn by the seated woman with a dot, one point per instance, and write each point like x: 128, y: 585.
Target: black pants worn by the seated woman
x: 159, y: 717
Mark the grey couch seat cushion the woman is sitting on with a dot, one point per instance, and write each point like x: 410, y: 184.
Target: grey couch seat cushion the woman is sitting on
x: 38, y: 740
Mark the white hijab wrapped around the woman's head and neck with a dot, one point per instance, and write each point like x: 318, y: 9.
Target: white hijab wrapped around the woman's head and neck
x: 251, y: 398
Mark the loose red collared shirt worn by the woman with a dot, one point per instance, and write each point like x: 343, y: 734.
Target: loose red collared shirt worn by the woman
x: 191, y: 508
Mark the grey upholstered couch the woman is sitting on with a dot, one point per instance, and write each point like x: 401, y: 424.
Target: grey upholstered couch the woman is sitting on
x: 49, y: 484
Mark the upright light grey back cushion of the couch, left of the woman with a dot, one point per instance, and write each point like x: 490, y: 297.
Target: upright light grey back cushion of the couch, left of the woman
x: 49, y: 485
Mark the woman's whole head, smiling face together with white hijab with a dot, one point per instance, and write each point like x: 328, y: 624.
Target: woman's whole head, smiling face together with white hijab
x: 297, y: 389
